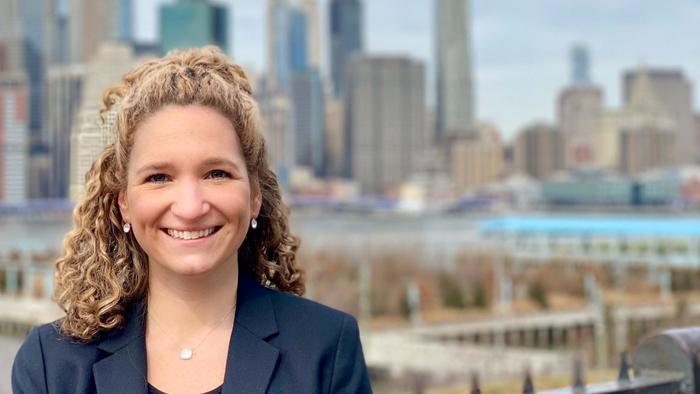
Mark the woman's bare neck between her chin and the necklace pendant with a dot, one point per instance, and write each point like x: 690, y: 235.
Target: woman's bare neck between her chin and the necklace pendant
x: 188, y: 305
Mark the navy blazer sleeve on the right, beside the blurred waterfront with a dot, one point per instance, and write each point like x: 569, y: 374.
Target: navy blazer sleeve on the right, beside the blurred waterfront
x: 349, y: 370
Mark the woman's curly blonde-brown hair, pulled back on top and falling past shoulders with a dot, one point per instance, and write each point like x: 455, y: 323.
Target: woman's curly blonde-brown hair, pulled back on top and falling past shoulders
x: 103, y: 269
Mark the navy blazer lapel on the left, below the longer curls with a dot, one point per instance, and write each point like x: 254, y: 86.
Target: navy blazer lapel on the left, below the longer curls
x: 123, y: 370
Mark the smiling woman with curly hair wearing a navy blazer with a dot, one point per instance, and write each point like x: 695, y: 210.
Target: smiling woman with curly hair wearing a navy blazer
x: 180, y: 225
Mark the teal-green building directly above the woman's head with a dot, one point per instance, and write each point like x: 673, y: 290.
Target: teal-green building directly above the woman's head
x: 193, y: 23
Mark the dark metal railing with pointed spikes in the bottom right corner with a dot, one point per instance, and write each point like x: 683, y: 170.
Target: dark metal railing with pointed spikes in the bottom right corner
x: 665, y: 363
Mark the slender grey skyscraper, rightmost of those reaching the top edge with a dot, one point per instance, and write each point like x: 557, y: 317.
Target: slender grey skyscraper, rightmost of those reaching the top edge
x: 453, y: 62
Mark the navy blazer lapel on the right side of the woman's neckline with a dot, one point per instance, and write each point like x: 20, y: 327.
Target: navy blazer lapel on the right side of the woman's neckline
x: 251, y: 359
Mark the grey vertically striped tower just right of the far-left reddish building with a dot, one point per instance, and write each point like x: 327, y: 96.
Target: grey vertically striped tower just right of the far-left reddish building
x: 64, y: 85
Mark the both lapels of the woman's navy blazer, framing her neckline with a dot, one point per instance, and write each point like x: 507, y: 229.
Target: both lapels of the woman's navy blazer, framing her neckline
x: 251, y: 359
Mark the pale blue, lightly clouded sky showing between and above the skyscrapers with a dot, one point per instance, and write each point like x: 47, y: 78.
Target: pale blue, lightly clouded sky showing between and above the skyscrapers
x: 520, y: 48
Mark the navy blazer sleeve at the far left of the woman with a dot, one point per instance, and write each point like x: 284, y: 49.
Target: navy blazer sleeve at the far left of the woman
x: 28, y: 375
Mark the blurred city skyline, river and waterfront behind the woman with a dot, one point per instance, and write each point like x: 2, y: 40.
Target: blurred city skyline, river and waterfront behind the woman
x: 491, y: 187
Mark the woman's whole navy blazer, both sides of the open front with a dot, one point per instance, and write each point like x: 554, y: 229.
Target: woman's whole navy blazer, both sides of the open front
x: 280, y: 343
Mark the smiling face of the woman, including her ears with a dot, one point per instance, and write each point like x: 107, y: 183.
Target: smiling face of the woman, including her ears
x: 188, y: 197
